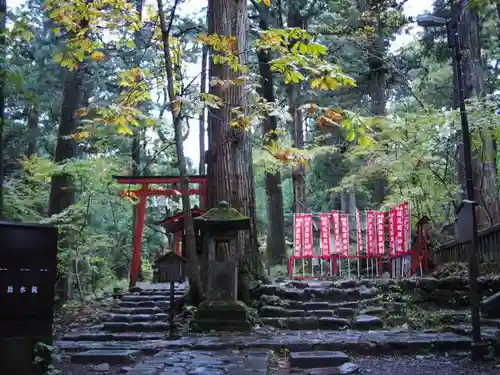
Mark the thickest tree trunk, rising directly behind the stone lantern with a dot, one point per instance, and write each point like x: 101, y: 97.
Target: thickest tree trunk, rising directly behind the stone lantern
x: 230, y: 170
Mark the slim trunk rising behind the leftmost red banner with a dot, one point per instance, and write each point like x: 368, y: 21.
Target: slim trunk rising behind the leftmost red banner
x: 295, y: 19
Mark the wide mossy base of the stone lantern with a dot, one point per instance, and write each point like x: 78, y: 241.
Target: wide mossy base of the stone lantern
x: 221, y: 316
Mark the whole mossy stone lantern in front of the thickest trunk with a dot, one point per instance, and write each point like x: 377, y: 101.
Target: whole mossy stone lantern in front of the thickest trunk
x: 221, y: 309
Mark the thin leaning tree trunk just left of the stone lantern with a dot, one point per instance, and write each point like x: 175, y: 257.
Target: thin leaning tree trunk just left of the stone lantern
x: 195, y: 288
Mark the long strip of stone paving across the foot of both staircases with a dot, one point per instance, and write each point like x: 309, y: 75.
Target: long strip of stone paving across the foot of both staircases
x: 376, y: 342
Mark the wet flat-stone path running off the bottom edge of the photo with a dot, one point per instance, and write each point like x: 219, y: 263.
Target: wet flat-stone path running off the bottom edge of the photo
x: 187, y: 362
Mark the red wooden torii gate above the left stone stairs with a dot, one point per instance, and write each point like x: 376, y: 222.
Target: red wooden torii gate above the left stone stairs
x: 142, y: 195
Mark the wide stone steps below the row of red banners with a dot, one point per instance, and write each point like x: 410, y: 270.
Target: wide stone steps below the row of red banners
x: 326, y: 306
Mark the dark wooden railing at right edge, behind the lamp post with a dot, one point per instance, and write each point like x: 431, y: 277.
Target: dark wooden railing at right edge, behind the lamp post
x: 488, y: 248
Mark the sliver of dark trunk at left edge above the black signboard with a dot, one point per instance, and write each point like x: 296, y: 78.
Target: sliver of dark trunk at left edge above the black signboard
x: 3, y: 61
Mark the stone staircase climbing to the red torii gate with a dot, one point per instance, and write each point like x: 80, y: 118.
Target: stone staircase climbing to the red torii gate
x: 135, y: 324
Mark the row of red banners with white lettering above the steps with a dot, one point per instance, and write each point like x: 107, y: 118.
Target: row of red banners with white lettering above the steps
x: 398, y: 227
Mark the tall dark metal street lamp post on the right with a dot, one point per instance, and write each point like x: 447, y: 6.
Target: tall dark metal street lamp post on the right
x: 477, y: 349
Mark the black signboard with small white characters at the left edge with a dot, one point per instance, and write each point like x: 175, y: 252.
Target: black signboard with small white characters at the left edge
x: 28, y: 266
